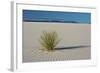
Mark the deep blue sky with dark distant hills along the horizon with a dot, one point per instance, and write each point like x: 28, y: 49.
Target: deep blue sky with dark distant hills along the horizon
x: 55, y: 16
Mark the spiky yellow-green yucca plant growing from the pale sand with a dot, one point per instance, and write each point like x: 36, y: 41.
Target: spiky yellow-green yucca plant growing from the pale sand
x: 49, y: 40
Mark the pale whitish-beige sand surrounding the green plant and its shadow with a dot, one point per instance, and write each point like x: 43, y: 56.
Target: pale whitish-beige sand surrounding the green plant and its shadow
x: 71, y: 35
